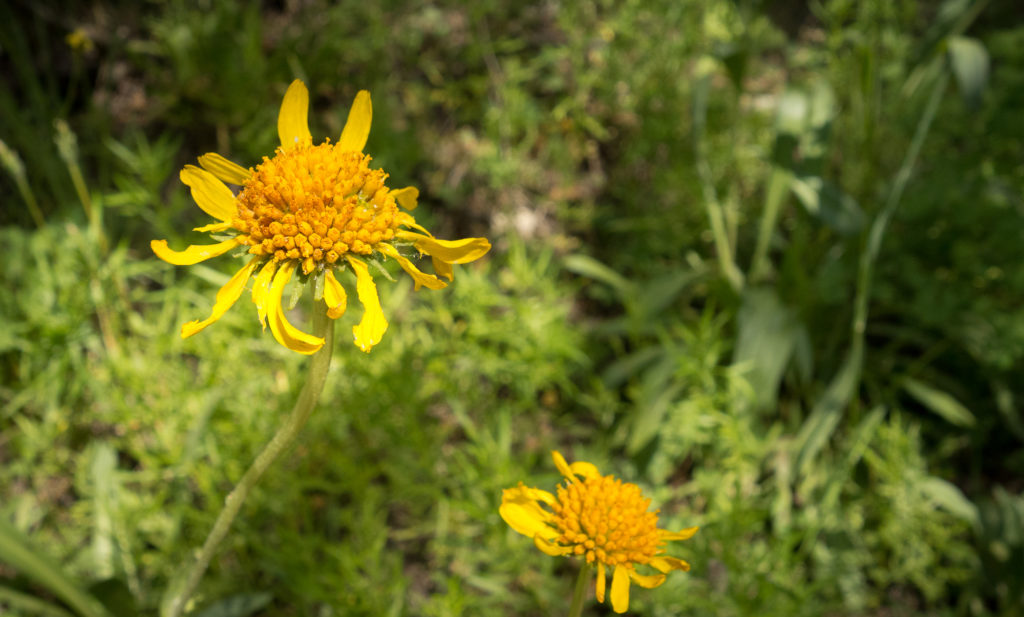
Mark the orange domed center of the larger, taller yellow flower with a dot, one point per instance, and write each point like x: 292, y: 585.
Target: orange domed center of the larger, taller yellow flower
x: 315, y: 204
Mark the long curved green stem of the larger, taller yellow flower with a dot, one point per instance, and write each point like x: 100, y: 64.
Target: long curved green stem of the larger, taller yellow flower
x: 185, y: 585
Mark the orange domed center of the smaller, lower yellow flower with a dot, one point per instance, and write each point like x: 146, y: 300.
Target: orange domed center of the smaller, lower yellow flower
x: 607, y: 520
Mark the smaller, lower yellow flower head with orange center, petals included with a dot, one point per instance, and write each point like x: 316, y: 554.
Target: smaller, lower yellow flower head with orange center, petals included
x: 602, y: 519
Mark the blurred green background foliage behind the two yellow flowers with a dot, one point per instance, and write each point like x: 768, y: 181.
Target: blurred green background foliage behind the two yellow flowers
x: 757, y: 256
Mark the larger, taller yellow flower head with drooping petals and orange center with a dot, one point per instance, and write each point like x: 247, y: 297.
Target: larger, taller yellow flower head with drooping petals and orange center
x: 317, y: 209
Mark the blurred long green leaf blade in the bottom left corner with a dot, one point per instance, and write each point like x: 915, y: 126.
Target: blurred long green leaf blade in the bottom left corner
x: 17, y: 551
